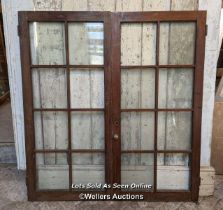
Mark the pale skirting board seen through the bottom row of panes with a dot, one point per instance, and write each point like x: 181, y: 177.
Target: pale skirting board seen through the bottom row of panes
x: 179, y: 175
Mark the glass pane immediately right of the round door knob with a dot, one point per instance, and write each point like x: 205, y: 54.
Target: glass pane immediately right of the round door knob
x: 137, y: 130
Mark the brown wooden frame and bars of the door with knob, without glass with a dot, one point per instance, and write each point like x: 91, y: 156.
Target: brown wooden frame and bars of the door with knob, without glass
x: 199, y: 18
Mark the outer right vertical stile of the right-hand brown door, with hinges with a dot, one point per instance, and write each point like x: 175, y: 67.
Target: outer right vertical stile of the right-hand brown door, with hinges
x: 197, y: 103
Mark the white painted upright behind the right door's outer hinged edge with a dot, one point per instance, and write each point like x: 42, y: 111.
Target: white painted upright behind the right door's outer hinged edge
x: 211, y: 55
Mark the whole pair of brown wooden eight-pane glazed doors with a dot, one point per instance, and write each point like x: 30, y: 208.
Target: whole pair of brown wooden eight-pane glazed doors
x: 112, y: 98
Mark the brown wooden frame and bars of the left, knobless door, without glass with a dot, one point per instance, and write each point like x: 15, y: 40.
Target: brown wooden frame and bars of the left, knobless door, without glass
x: 64, y: 17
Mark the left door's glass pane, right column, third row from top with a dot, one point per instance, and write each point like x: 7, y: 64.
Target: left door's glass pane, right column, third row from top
x: 87, y: 130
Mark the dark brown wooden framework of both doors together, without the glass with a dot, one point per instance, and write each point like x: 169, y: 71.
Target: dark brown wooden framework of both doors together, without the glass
x: 112, y: 22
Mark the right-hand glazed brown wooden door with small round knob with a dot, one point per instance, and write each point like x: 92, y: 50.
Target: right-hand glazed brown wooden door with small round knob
x: 157, y: 104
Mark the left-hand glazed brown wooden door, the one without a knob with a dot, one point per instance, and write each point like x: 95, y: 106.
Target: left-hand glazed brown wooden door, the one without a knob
x: 65, y: 60
